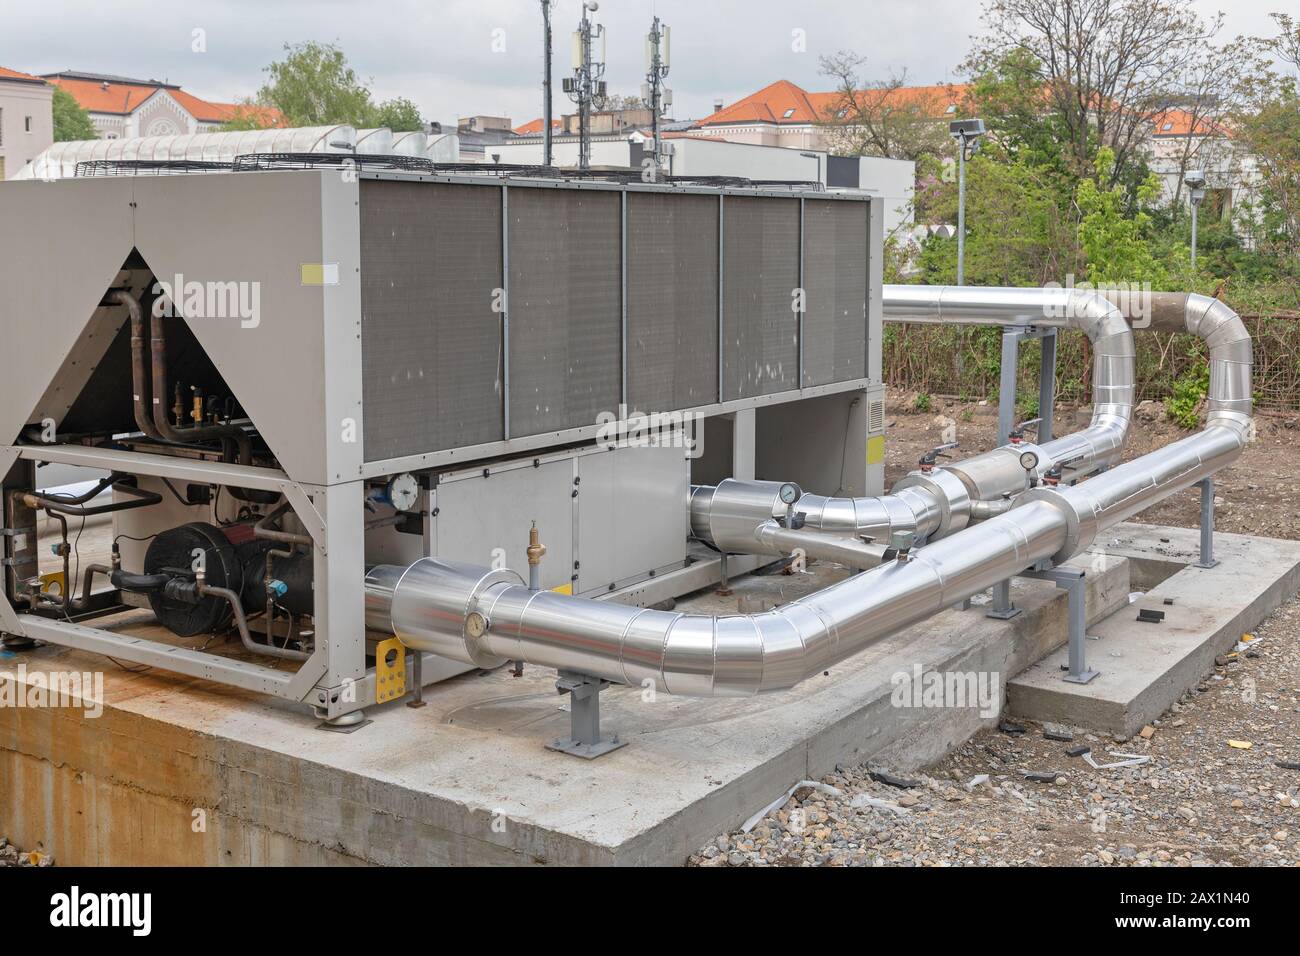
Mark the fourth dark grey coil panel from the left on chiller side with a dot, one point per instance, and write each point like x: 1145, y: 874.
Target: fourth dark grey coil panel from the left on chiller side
x: 761, y: 272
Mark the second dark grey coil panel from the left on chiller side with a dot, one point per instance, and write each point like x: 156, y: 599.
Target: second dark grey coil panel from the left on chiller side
x: 566, y: 315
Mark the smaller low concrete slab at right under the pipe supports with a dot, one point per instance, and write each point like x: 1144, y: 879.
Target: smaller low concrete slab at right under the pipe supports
x: 1146, y: 668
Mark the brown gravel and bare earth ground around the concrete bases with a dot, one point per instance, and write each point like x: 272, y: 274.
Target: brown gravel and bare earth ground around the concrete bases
x: 1198, y: 801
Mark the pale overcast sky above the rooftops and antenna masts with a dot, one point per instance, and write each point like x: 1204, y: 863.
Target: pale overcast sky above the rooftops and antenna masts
x: 448, y: 57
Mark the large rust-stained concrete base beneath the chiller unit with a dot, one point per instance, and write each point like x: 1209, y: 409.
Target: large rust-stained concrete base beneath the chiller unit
x: 185, y: 772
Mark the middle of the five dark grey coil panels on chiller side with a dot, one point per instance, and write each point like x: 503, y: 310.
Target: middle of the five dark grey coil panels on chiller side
x: 673, y: 301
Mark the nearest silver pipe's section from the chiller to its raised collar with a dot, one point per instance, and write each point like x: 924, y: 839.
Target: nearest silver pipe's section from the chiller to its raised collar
x: 486, y: 618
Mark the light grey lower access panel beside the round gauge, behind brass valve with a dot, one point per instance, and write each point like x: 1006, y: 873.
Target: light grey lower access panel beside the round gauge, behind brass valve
x: 486, y: 521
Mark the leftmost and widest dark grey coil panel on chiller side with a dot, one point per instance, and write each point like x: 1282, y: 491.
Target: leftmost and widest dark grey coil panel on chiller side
x: 431, y: 339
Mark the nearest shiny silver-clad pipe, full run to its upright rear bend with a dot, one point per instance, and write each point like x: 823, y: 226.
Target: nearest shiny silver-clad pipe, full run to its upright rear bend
x: 486, y: 618
